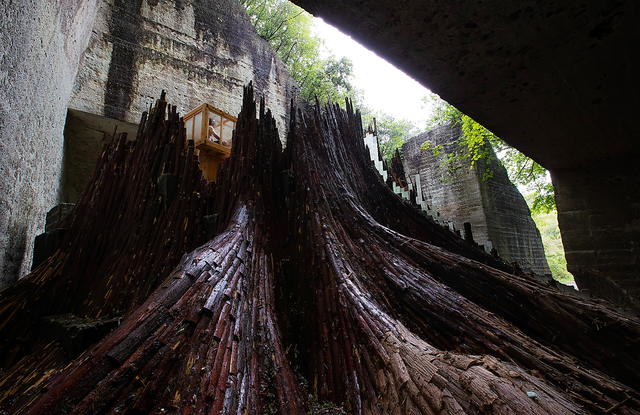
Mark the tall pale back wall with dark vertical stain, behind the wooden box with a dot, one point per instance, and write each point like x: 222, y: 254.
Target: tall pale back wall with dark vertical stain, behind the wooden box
x: 203, y: 51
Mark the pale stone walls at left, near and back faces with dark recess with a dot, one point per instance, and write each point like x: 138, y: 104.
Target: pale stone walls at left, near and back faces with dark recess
x: 107, y: 61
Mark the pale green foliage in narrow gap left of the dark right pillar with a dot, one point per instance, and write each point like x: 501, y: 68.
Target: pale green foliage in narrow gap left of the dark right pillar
x: 547, y: 224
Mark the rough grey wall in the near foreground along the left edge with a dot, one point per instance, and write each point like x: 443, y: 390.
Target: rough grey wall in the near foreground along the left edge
x: 40, y: 49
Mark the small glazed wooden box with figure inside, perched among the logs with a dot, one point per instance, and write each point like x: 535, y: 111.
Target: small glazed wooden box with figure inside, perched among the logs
x: 212, y: 132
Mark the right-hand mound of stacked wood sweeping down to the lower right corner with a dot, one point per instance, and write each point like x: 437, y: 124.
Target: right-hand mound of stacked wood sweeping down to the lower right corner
x: 366, y: 282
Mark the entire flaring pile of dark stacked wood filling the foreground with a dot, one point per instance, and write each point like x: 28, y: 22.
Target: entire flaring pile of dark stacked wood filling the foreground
x: 321, y: 286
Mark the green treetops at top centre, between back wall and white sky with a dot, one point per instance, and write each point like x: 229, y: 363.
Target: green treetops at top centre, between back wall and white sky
x: 289, y: 30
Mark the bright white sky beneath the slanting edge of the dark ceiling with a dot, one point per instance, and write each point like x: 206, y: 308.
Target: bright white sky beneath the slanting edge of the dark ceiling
x: 385, y: 88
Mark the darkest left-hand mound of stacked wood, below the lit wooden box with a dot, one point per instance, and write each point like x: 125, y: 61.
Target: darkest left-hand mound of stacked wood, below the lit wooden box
x: 123, y: 239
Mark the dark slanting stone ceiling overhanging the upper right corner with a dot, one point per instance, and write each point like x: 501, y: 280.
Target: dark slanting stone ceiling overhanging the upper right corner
x: 558, y: 79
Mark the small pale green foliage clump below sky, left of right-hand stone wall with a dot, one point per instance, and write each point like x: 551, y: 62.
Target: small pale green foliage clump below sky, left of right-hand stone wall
x: 392, y: 133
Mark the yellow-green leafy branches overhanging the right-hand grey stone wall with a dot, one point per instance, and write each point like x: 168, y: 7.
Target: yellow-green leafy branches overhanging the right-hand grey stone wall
x: 476, y: 142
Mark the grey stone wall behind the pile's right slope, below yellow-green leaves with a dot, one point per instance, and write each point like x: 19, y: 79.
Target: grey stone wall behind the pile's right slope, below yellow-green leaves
x: 499, y: 215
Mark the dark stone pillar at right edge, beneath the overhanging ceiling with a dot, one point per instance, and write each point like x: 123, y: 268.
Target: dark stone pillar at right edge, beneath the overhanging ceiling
x: 599, y: 219
